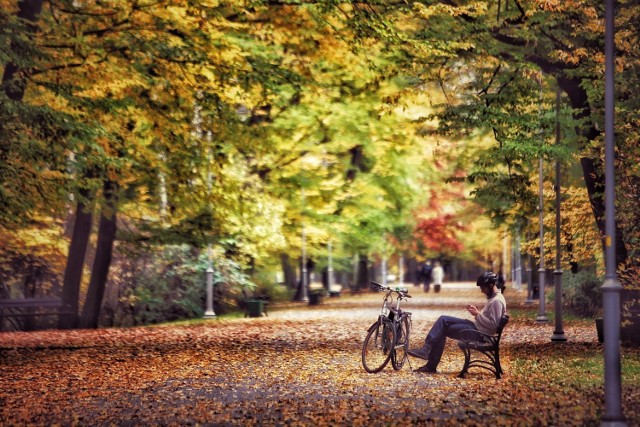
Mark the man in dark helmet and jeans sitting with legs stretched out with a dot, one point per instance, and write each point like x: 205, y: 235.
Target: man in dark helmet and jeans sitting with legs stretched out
x: 486, y: 321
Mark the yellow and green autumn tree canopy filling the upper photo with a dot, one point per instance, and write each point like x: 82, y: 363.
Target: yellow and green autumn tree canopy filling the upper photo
x: 237, y: 124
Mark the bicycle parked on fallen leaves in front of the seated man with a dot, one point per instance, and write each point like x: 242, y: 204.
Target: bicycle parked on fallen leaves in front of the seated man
x: 388, y: 337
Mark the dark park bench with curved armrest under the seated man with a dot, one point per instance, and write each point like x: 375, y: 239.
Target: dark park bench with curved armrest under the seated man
x: 483, y: 353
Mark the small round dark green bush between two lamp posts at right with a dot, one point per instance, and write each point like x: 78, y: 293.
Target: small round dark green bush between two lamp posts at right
x: 583, y: 294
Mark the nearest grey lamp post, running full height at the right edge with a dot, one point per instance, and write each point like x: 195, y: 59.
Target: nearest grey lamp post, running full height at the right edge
x: 611, y: 288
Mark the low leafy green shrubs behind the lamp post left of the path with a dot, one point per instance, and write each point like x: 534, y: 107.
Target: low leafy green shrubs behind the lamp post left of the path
x: 169, y: 283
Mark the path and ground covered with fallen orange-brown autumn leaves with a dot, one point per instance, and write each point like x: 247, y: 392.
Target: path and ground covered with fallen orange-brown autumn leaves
x: 301, y: 366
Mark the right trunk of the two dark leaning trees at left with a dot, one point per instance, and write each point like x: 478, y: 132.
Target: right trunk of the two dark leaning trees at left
x: 100, y: 272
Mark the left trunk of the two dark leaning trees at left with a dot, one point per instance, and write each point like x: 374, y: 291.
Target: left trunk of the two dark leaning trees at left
x: 75, y: 264
